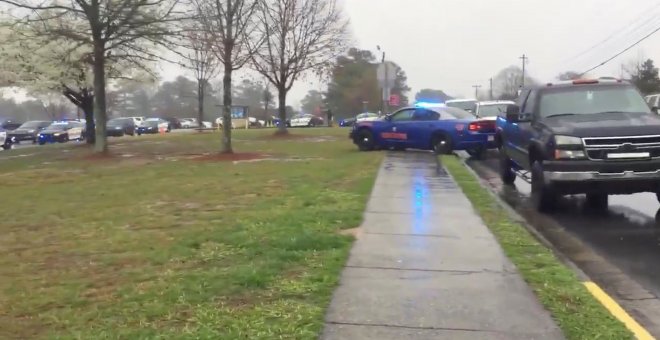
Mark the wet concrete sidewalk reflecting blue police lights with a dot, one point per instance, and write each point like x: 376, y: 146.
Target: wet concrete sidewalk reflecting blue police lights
x: 426, y: 267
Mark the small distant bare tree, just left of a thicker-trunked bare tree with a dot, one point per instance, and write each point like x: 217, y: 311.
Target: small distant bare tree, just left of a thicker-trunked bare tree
x: 204, y: 64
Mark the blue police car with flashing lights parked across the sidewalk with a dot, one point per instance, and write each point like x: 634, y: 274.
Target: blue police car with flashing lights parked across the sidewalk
x: 427, y: 127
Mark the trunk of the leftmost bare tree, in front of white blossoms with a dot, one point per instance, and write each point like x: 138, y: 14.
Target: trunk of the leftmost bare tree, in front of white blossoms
x: 101, y: 144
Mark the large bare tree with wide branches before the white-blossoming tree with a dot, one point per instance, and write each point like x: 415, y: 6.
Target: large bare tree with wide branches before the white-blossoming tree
x: 126, y: 30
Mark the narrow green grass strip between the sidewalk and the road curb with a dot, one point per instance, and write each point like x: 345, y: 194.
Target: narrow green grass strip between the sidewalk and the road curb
x: 577, y: 312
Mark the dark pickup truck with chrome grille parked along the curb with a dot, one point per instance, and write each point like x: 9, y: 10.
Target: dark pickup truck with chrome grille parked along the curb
x: 590, y: 136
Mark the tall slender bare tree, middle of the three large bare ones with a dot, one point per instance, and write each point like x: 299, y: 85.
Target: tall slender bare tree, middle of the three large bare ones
x: 230, y: 24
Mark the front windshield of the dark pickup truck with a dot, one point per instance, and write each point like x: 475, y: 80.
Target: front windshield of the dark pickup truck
x: 591, y: 99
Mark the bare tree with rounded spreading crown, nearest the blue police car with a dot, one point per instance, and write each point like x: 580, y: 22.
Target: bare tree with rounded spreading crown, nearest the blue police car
x: 299, y: 36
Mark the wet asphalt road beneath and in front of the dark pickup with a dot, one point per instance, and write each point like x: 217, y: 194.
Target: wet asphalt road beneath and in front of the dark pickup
x: 619, y: 248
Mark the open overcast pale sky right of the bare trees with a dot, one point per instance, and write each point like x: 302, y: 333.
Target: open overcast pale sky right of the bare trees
x: 454, y: 44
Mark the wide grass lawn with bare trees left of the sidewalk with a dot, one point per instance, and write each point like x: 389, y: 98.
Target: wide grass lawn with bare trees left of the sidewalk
x: 155, y: 244
